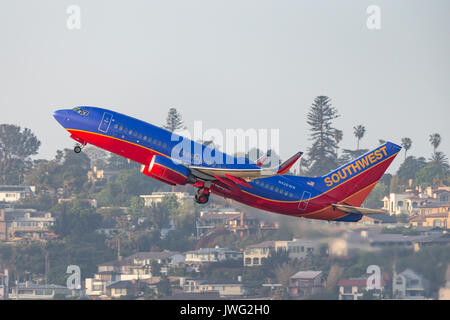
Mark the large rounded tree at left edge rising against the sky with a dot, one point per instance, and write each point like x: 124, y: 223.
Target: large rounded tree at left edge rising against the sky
x: 16, y: 148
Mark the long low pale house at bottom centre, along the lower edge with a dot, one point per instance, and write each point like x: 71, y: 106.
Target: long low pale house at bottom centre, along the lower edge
x: 224, y: 288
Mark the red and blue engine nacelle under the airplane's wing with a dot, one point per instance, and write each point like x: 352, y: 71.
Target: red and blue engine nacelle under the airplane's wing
x: 165, y: 170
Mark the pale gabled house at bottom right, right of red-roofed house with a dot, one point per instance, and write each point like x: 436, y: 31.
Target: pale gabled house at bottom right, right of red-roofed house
x: 409, y: 285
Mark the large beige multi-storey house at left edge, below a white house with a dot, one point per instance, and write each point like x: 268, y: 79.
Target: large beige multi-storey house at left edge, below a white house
x: 19, y: 224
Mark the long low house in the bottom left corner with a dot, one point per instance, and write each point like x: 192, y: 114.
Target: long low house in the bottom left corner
x: 30, y: 291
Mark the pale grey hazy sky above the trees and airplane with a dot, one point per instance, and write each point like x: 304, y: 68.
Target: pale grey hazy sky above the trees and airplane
x: 232, y: 64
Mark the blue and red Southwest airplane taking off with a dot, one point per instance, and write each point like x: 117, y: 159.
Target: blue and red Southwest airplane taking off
x: 335, y: 196
